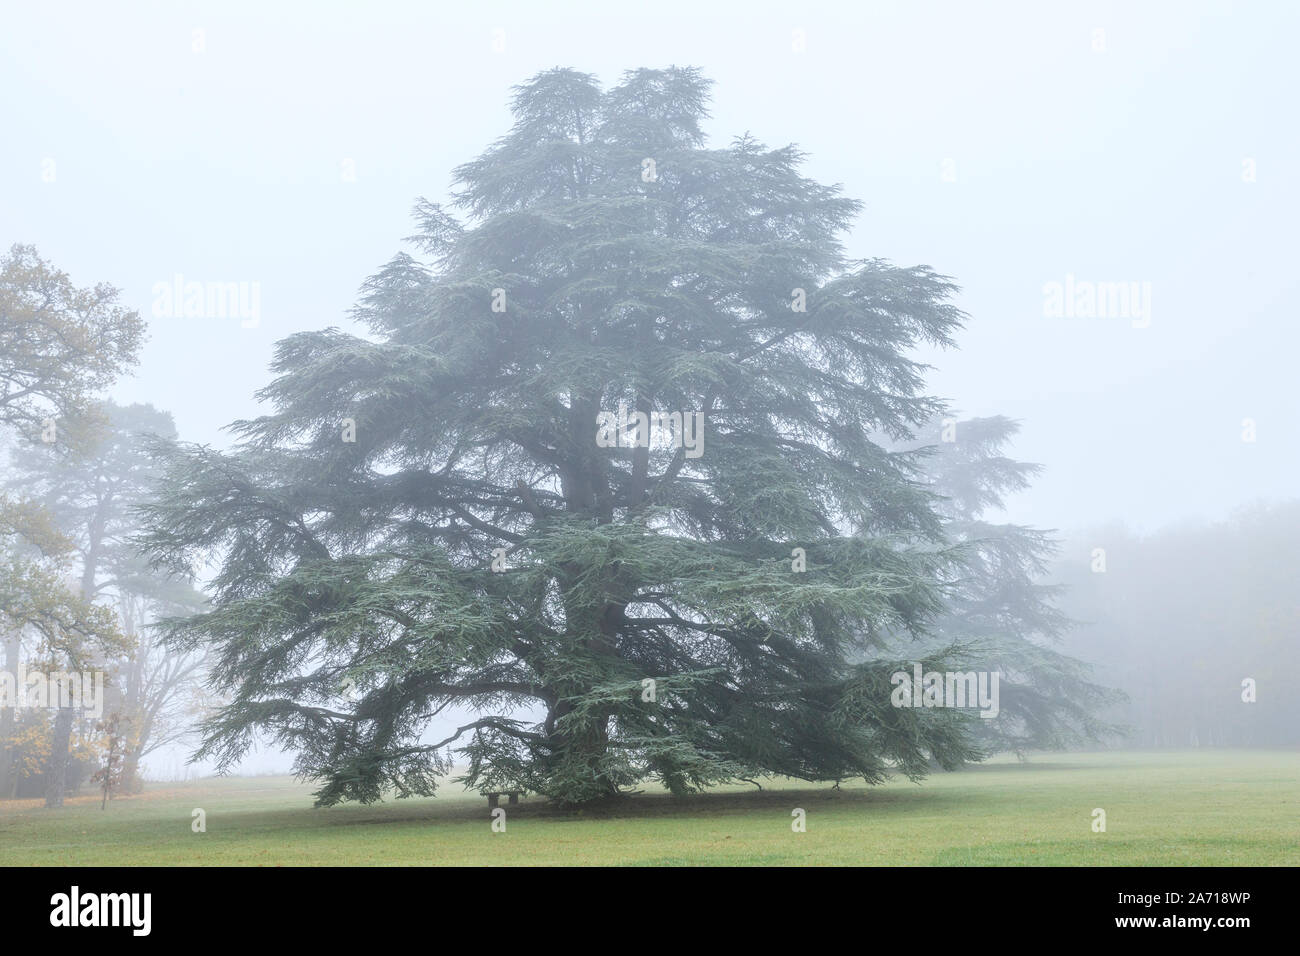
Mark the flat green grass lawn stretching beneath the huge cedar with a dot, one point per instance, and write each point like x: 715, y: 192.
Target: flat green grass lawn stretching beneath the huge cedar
x: 1185, y: 808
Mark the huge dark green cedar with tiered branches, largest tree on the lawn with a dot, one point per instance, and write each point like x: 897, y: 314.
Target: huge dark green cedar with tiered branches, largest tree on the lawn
x: 427, y: 521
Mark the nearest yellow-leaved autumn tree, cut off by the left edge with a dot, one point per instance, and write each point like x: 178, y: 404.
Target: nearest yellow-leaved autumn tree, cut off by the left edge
x: 59, y: 347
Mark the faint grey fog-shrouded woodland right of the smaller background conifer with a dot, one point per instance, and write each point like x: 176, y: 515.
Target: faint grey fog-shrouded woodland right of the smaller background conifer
x: 1180, y: 618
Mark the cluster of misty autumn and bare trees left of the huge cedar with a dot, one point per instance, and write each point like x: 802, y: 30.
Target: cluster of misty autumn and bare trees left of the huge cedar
x: 75, y: 596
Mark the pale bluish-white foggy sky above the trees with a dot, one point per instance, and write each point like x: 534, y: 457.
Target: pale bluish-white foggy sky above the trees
x: 1123, y: 166
